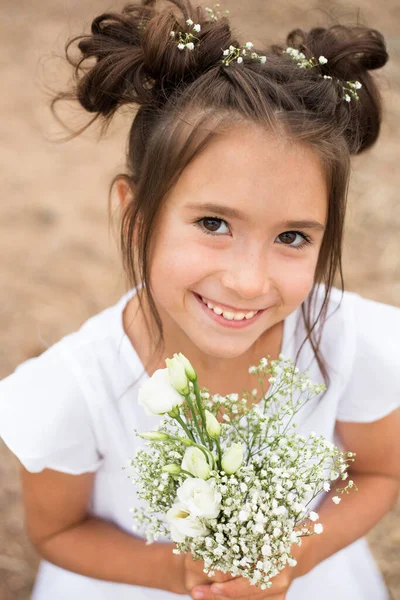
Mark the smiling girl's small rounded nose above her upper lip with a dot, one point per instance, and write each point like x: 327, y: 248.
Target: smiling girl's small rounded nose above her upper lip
x: 248, y: 276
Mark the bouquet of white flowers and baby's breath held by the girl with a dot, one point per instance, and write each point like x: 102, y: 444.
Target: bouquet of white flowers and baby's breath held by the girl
x: 229, y: 479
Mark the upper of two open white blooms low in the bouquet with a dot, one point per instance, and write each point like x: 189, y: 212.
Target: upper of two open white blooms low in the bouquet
x: 200, y: 498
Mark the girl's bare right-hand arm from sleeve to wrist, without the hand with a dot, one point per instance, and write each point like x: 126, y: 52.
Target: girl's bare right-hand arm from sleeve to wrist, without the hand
x: 376, y: 473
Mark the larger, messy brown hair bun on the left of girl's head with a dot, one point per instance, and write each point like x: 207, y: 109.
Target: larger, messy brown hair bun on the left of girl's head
x: 136, y: 59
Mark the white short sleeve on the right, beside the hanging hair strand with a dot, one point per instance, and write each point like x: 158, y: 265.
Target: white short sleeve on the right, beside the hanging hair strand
x: 373, y: 387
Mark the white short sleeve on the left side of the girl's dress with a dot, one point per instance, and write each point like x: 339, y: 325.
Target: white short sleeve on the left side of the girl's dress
x: 44, y: 417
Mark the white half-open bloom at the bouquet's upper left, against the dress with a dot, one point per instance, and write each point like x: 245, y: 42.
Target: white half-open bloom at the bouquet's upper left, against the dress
x: 157, y: 395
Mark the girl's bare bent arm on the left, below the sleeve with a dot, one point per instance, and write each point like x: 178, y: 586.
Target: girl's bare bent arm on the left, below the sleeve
x: 63, y: 533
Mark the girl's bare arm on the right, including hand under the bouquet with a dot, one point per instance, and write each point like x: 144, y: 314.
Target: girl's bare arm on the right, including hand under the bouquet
x: 376, y: 473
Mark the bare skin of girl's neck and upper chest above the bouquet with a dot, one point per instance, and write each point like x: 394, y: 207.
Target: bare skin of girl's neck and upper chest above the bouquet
x: 218, y: 375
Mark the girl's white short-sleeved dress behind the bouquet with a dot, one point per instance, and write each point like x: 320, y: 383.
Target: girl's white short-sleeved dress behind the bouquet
x: 74, y: 409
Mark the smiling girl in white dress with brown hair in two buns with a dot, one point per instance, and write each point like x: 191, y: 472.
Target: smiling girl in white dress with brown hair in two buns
x: 232, y: 208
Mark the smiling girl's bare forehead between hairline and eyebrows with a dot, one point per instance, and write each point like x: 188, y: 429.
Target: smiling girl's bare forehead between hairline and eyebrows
x: 251, y: 167
